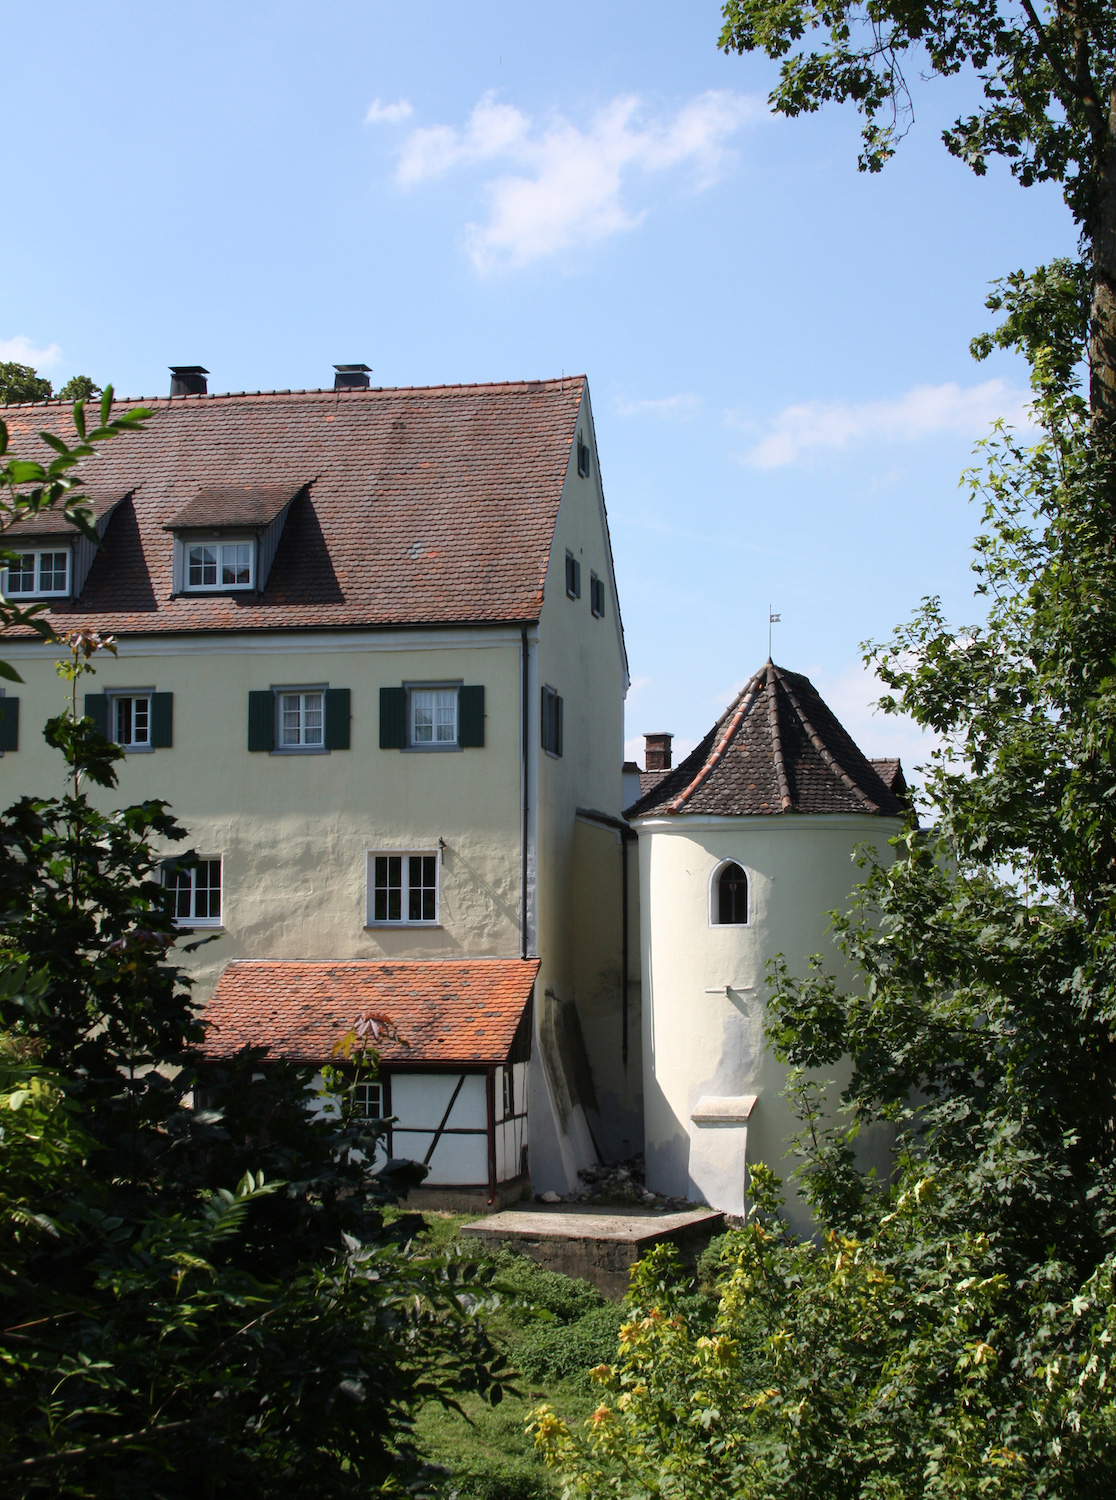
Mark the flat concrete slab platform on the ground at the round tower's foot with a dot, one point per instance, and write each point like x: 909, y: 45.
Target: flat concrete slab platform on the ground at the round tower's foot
x: 604, y: 1246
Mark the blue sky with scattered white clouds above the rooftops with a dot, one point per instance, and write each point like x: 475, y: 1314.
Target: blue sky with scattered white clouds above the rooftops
x: 776, y: 344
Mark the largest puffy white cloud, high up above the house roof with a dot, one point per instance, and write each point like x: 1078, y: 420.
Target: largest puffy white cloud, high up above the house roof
x: 571, y: 181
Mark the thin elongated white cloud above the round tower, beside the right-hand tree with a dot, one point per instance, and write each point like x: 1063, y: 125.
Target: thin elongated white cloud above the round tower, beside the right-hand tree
x: 925, y: 412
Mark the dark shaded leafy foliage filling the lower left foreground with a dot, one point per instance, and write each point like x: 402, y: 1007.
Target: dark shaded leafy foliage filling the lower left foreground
x: 199, y: 1292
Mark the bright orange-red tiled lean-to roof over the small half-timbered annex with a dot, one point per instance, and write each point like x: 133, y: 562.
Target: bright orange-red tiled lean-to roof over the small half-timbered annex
x: 449, y: 1010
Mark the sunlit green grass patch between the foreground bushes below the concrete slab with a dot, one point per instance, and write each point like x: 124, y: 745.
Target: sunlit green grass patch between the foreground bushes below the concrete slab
x: 554, y: 1331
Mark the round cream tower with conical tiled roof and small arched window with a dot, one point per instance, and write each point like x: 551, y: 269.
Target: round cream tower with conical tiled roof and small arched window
x: 745, y: 850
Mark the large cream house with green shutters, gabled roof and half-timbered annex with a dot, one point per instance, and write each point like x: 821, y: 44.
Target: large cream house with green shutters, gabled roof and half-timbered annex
x: 371, y: 653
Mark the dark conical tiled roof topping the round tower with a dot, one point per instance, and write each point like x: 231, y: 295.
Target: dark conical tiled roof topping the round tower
x: 776, y: 749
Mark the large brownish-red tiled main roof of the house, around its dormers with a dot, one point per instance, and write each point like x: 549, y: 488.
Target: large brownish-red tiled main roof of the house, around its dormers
x: 418, y: 506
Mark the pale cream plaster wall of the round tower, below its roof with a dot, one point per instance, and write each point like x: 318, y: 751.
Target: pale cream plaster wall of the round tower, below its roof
x: 704, y: 986
